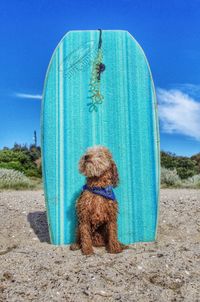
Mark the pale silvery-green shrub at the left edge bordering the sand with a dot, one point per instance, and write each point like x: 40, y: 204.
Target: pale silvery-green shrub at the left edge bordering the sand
x: 11, y: 179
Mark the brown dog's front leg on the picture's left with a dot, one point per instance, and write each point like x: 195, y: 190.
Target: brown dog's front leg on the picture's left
x: 86, y: 240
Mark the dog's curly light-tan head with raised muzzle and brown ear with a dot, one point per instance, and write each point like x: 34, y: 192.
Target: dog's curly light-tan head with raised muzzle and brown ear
x: 96, y: 161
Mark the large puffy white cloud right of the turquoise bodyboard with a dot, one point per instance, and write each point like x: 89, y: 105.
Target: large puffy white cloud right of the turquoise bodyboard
x: 179, y: 112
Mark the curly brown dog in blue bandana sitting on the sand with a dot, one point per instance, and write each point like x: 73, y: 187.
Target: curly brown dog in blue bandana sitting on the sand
x: 97, y: 207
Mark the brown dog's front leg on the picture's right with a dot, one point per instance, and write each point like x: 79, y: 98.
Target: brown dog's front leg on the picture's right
x: 114, y: 246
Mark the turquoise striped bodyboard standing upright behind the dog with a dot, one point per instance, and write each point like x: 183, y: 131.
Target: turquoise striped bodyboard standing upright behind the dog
x: 126, y: 122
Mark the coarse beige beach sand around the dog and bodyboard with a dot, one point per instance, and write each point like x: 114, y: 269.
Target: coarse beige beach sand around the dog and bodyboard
x: 33, y: 270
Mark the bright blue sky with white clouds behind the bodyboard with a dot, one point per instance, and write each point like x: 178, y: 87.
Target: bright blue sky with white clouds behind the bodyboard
x: 168, y: 31
